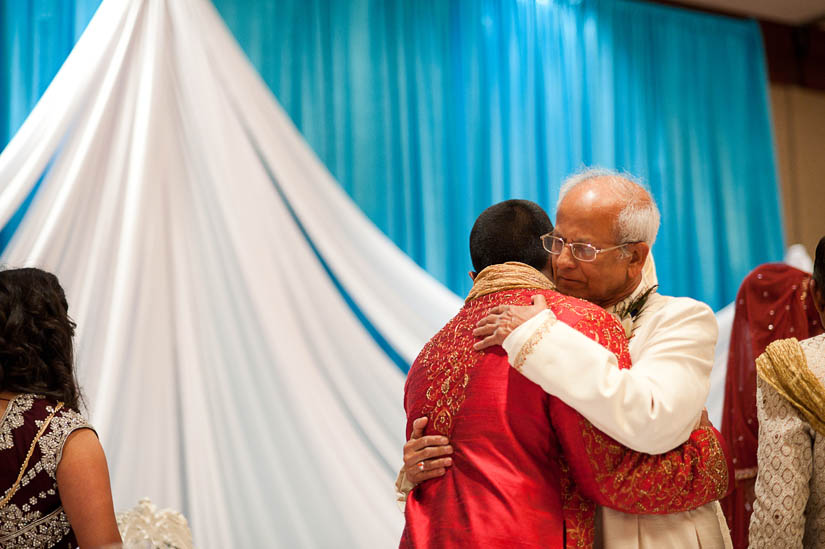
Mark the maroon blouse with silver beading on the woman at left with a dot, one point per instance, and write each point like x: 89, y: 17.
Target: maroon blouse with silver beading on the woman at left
x: 34, y: 516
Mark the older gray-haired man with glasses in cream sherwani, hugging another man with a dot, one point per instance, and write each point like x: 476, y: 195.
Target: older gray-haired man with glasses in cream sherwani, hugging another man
x: 606, y: 224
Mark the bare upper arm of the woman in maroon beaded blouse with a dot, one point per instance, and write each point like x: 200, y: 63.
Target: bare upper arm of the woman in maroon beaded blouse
x: 83, y: 484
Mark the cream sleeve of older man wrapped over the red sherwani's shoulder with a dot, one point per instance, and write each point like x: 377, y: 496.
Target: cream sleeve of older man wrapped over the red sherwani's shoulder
x: 652, y: 407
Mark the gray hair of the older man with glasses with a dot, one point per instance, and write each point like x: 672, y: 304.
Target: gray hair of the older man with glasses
x: 638, y: 221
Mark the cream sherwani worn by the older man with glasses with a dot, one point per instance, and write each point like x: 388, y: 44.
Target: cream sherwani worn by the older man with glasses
x: 651, y: 408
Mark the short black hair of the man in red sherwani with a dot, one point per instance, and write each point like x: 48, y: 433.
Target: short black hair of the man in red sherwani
x: 510, y: 231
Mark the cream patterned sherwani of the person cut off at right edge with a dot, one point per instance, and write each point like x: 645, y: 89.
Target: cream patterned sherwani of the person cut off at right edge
x: 789, y: 511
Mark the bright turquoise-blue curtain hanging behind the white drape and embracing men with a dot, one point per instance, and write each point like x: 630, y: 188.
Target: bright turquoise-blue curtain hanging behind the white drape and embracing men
x: 429, y: 111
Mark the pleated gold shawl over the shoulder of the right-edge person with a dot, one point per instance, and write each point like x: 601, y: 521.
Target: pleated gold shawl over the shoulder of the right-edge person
x: 784, y: 367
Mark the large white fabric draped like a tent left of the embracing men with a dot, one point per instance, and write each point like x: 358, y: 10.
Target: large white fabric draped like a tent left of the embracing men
x: 240, y: 322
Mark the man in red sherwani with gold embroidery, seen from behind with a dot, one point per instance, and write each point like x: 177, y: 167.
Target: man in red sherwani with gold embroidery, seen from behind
x: 527, y: 470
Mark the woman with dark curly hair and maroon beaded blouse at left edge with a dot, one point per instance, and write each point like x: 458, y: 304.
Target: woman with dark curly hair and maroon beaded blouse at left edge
x: 54, y: 481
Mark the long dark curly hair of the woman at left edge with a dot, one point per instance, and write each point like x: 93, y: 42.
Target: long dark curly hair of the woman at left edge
x: 36, y: 351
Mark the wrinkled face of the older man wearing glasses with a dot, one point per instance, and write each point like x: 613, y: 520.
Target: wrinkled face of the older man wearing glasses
x: 587, y: 215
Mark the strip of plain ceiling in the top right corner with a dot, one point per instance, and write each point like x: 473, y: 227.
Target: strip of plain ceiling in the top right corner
x: 790, y: 12
